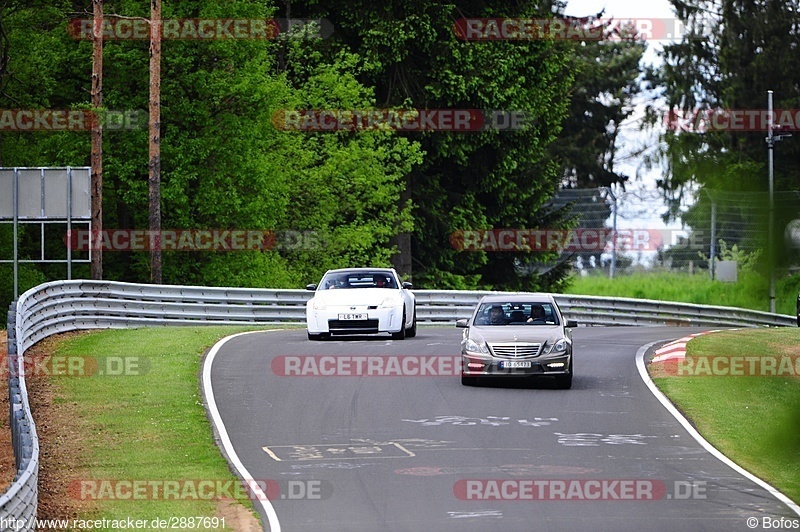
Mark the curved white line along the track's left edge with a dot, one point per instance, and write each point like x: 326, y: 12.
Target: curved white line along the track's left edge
x: 208, y: 392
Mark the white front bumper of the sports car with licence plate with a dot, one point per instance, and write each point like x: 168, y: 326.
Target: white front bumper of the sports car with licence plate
x: 380, y: 320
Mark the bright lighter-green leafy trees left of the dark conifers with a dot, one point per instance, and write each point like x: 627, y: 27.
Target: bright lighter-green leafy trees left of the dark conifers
x: 224, y: 163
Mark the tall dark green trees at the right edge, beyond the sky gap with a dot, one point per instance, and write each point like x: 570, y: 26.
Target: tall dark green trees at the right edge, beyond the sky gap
x: 736, y: 52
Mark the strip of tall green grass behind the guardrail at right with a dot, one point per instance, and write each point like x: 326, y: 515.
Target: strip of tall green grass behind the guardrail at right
x: 751, y: 291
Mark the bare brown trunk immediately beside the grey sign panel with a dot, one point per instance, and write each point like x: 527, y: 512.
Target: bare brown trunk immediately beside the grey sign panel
x: 97, y: 138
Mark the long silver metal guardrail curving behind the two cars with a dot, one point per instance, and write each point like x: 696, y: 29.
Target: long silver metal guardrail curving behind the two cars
x: 62, y: 306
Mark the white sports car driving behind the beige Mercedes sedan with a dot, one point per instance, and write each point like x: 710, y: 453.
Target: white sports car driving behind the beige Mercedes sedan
x: 361, y: 301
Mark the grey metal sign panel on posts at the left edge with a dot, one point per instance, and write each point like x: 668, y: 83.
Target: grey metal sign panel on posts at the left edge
x: 46, y: 193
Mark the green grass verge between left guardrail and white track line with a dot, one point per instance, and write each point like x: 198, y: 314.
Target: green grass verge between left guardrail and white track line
x: 151, y: 426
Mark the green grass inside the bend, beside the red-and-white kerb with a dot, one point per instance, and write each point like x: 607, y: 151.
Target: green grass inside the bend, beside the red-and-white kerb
x: 754, y: 420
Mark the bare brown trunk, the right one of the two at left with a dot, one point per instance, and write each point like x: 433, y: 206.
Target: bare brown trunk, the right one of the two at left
x: 154, y: 165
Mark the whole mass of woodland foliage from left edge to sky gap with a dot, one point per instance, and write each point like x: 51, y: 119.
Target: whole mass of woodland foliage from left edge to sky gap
x: 377, y: 198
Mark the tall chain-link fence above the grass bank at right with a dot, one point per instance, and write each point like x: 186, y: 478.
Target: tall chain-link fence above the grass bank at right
x: 616, y: 231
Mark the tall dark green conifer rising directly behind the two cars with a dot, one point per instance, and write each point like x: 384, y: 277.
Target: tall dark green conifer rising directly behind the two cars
x: 414, y: 59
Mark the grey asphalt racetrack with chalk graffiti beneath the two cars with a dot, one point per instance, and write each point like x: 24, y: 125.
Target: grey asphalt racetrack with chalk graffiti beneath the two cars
x: 372, y: 434
